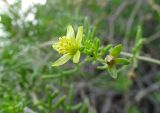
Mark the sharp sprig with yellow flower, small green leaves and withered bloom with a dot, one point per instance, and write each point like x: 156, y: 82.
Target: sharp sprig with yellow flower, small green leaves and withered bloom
x: 71, y: 47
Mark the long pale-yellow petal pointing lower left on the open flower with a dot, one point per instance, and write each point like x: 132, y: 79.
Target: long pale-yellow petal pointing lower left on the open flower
x: 62, y: 60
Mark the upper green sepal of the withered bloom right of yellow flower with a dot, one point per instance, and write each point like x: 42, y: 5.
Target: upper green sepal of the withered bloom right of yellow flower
x: 116, y: 50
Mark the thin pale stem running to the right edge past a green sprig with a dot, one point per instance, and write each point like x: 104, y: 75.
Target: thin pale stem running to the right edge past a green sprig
x: 143, y: 58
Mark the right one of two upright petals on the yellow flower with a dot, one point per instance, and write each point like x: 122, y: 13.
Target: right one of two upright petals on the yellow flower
x: 79, y: 35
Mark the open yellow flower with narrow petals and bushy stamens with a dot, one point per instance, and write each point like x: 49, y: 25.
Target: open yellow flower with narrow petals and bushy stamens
x: 69, y: 46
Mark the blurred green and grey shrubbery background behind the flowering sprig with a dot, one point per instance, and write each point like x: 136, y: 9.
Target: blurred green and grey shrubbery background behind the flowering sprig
x: 28, y: 82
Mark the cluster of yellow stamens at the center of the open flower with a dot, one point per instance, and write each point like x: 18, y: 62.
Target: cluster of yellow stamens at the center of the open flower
x: 66, y: 45
